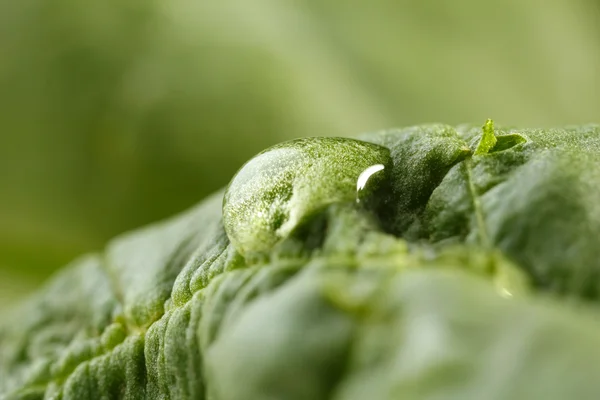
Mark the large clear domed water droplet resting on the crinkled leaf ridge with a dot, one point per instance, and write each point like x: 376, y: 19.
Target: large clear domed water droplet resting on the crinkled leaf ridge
x: 283, y: 187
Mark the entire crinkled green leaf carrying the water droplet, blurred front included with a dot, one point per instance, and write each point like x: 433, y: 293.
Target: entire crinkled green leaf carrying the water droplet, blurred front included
x: 457, y: 275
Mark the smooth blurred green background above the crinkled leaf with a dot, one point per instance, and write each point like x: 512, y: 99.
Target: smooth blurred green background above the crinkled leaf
x: 116, y: 113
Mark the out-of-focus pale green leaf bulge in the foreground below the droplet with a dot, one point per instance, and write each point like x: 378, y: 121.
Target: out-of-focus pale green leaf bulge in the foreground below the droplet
x: 419, y: 335
